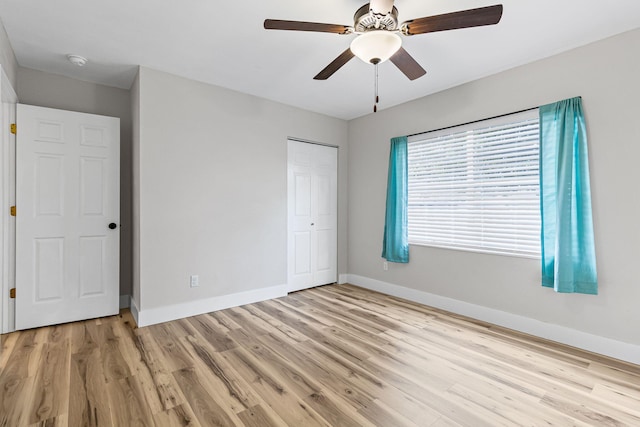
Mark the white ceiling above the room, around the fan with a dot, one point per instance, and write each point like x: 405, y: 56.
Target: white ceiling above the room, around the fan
x: 224, y: 43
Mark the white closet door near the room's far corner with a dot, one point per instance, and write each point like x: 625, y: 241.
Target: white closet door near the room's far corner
x: 312, y: 214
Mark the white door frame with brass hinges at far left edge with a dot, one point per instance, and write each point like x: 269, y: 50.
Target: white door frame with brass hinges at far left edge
x: 7, y: 199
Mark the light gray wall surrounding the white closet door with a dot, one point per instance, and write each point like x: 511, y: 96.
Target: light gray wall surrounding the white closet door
x: 213, y: 191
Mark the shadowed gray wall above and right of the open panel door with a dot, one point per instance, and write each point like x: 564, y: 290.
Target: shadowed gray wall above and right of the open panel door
x: 54, y: 91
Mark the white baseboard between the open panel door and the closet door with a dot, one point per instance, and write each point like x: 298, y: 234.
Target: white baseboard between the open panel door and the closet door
x: 192, y: 308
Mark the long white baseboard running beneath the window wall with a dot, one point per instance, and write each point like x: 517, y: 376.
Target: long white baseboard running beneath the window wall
x: 593, y: 343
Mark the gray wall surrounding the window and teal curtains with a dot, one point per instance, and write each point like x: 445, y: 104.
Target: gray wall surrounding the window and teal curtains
x: 605, y: 74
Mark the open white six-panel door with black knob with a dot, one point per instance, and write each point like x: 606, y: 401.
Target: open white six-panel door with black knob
x: 68, y: 210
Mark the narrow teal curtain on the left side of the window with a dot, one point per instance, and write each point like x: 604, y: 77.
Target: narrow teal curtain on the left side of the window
x: 395, y: 244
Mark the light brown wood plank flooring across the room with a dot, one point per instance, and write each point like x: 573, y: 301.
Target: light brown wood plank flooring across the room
x: 336, y: 355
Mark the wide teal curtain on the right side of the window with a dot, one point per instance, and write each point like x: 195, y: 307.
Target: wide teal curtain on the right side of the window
x: 568, y: 252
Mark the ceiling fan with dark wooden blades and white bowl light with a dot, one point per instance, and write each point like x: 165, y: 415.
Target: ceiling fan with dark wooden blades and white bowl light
x: 376, y: 24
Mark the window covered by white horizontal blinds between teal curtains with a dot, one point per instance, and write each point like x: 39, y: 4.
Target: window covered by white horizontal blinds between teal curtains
x: 476, y: 187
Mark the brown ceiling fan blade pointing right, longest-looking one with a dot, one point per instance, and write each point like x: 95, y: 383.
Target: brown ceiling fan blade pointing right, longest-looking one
x: 489, y: 15
